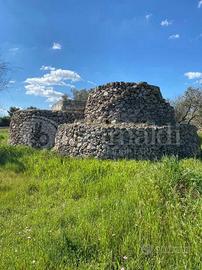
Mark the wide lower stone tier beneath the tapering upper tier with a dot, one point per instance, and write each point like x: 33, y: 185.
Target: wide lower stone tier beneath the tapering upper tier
x: 129, y: 141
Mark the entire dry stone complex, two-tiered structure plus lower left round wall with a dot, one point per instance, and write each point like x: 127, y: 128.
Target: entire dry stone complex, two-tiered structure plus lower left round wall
x: 121, y: 120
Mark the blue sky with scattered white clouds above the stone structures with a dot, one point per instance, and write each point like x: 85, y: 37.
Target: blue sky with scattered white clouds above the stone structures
x: 52, y: 46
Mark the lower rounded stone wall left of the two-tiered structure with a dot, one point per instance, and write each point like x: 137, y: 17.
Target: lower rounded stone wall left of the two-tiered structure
x: 37, y: 128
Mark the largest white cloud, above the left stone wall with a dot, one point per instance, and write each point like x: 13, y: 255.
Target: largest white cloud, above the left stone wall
x: 44, y: 86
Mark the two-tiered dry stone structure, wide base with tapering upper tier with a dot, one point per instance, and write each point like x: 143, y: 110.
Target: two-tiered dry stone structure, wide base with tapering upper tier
x: 127, y: 120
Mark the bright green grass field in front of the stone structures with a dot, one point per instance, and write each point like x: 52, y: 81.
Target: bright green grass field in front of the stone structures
x: 61, y: 213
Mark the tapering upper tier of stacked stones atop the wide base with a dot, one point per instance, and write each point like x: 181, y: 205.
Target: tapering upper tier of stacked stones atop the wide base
x: 128, y: 102
